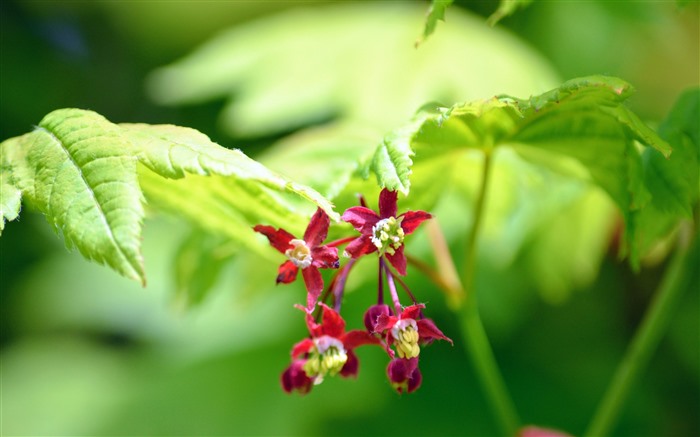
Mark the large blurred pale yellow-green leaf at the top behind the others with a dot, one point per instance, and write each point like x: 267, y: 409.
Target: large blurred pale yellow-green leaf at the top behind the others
x: 346, y: 72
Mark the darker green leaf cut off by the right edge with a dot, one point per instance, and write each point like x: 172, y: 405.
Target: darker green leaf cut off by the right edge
x: 673, y: 182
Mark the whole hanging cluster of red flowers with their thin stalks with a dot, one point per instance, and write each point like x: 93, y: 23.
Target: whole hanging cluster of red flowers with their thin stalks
x: 398, y: 330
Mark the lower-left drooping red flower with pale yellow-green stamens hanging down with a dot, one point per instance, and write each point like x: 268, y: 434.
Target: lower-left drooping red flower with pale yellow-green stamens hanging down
x: 329, y: 351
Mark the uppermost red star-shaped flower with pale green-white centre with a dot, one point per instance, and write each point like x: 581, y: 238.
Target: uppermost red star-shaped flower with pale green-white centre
x: 383, y: 232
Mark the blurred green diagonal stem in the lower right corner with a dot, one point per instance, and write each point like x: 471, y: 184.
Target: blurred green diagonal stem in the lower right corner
x: 678, y: 277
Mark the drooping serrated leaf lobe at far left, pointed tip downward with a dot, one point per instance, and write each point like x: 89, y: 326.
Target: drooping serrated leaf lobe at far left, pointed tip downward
x: 78, y: 170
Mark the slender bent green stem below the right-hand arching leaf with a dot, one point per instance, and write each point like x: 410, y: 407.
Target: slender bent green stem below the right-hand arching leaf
x: 473, y: 332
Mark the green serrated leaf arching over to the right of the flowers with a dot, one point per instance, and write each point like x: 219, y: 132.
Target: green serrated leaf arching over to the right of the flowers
x: 584, y: 120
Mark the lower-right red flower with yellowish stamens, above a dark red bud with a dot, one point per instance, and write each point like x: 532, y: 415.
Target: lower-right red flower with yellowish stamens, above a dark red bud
x: 408, y: 330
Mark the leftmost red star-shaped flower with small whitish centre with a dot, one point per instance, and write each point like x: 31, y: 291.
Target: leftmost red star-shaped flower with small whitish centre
x: 307, y: 254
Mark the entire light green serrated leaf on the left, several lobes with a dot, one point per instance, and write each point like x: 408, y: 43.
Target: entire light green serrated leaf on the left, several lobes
x: 80, y: 170
